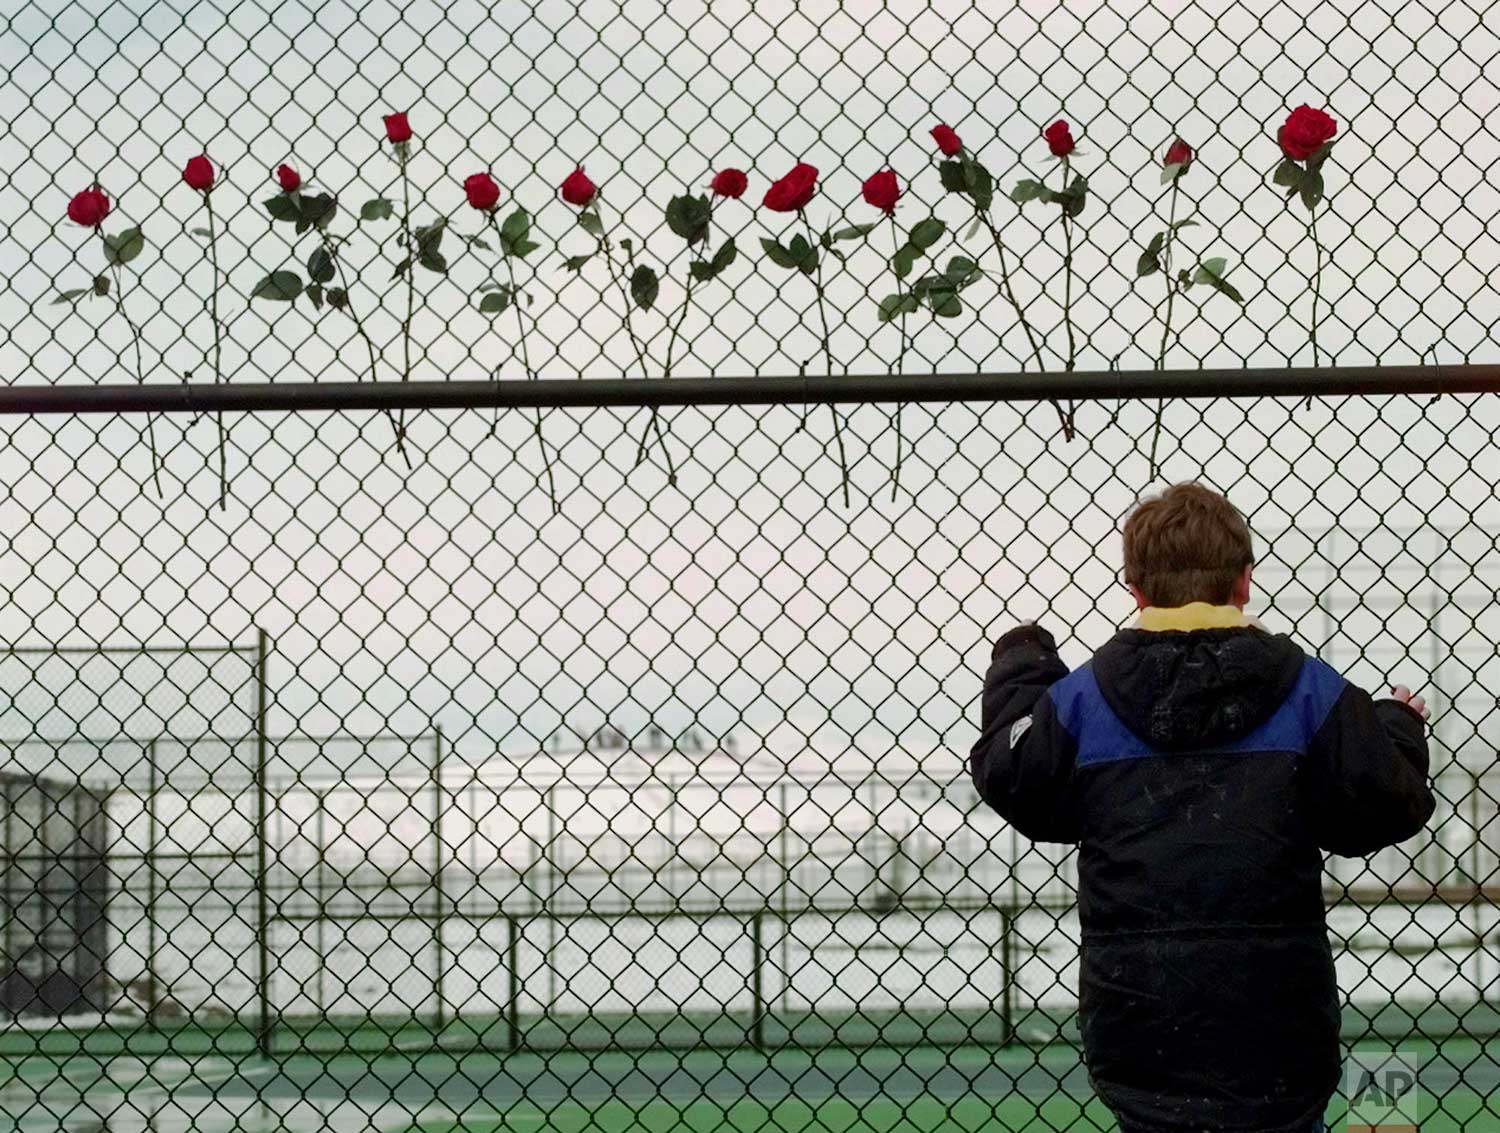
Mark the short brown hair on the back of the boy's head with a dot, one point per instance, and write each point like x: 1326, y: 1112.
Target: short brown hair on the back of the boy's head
x: 1187, y: 545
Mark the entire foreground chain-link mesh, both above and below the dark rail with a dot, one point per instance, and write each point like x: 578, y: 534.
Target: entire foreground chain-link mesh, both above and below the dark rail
x: 535, y: 777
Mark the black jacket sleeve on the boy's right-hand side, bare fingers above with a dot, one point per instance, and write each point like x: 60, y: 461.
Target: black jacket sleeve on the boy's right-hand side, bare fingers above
x: 1369, y: 765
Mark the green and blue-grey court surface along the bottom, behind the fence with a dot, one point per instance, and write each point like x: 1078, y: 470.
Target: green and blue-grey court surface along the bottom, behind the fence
x: 881, y: 1090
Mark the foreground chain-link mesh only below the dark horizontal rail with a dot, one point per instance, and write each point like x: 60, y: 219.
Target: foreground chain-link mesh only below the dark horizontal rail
x: 653, y: 814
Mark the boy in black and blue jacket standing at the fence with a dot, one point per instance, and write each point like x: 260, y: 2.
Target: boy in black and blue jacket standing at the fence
x: 1201, y: 765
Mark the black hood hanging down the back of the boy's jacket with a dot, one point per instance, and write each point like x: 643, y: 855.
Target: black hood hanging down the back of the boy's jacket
x: 1180, y: 690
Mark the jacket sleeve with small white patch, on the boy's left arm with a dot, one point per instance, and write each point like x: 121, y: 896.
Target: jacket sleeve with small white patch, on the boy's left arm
x: 1024, y: 762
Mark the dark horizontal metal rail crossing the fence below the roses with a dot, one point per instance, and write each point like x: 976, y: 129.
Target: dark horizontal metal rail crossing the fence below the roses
x: 1111, y: 385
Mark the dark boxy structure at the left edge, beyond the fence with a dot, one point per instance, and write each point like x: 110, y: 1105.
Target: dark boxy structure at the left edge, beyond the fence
x: 55, y: 889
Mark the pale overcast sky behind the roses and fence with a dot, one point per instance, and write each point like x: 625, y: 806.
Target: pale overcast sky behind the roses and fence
x: 748, y: 600
